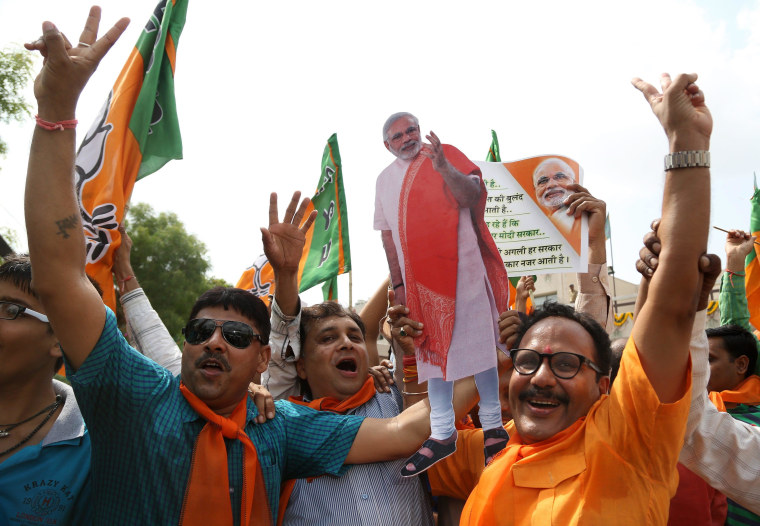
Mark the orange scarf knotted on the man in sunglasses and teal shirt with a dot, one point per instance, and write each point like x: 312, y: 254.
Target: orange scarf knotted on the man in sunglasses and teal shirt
x: 207, y: 498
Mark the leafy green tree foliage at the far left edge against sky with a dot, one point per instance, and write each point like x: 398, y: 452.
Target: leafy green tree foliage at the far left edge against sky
x: 15, y: 72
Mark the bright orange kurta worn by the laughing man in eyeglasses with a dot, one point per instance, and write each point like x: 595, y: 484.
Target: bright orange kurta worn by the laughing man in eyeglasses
x: 615, y: 466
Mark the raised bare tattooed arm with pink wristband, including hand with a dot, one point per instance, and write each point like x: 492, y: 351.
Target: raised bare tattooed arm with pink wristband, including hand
x: 53, y: 222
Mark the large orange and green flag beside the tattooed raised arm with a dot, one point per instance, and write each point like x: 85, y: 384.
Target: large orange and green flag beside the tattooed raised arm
x: 135, y: 134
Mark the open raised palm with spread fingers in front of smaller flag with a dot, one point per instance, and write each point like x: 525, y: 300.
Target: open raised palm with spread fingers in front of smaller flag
x: 284, y: 241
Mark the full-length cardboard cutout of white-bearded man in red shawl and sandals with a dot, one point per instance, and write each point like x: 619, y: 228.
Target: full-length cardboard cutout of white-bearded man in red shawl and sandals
x: 446, y: 269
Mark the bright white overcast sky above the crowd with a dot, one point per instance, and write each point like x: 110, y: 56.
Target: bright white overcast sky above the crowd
x: 262, y: 85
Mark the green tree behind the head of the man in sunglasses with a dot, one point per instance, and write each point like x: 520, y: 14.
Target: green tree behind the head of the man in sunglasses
x: 170, y: 264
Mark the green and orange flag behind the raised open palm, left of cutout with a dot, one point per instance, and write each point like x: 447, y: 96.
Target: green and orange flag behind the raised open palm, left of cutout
x: 327, y: 252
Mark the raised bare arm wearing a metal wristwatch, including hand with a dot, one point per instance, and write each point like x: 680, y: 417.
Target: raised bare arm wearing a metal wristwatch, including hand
x: 663, y: 327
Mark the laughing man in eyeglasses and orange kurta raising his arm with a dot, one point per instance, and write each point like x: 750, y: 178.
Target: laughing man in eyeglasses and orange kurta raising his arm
x: 577, y: 455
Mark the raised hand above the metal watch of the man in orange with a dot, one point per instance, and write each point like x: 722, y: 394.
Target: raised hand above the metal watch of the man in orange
x: 681, y: 110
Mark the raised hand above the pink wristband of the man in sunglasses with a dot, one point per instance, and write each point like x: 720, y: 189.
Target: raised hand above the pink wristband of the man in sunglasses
x: 66, y: 68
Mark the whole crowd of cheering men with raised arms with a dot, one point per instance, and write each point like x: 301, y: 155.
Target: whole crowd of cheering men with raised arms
x: 149, y: 434
